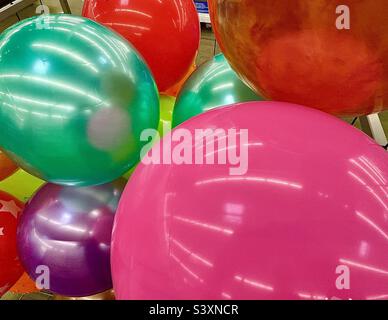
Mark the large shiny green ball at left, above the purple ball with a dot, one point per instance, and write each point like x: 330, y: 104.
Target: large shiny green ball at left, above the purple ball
x: 74, y: 99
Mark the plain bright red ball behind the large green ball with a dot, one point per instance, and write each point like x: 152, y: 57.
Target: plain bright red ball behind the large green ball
x: 165, y: 32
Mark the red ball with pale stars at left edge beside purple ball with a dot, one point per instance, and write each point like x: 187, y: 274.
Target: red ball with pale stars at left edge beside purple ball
x: 10, y: 267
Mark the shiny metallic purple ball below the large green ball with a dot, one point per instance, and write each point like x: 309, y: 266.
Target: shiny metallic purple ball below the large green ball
x: 67, y: 232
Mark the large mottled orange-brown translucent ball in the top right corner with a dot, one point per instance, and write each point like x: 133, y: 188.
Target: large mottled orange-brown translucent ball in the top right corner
x: 327, y: 54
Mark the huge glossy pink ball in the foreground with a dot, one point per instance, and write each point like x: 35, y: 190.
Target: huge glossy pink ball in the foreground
x: 307, y: 220
